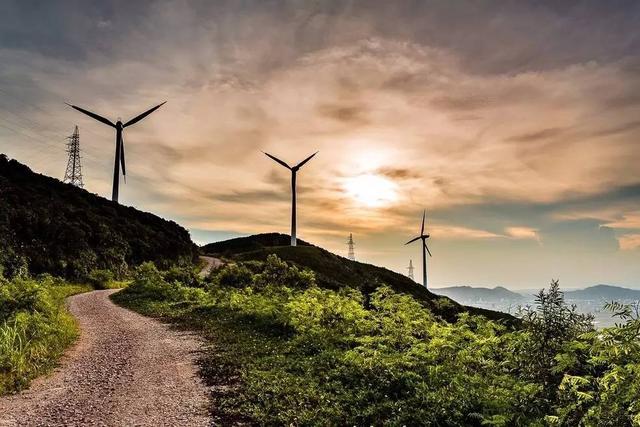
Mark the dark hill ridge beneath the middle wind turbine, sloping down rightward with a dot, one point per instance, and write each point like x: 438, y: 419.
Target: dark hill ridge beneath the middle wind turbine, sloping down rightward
x: 334, y: 272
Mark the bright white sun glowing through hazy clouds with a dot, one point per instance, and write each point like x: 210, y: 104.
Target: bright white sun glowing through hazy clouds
x: 371, y: 190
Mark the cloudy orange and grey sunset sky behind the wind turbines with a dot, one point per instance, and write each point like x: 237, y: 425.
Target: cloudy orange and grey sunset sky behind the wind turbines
x: 516, y: 125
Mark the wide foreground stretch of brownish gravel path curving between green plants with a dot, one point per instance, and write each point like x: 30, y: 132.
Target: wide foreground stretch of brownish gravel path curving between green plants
x: 125, y: 370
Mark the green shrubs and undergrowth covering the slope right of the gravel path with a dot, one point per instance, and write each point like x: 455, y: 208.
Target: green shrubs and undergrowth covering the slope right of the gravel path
x: 288, y: 352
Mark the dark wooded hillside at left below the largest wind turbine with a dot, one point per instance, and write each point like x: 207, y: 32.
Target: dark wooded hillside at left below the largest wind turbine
x: 48, y: 226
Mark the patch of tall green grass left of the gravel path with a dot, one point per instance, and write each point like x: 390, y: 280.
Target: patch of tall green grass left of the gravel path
x: 35, y: 328
